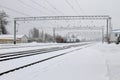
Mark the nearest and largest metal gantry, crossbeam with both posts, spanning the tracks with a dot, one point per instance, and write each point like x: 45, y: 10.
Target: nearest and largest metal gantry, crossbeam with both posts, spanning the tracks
x: 84, y: 17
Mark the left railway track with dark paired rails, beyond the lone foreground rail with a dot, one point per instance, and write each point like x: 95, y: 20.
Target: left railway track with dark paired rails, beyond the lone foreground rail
x: 14, y: 55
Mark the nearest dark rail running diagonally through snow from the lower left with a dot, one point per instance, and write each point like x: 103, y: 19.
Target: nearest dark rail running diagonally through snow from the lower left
x: 78, y: 47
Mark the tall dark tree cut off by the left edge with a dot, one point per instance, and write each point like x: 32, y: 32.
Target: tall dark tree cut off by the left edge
x: 3, y: 22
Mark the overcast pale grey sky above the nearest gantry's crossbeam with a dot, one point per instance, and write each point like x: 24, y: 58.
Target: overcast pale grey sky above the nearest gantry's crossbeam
x: 63, y: 7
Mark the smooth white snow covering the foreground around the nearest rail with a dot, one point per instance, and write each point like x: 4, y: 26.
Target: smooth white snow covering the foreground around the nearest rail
x: 96, y: 62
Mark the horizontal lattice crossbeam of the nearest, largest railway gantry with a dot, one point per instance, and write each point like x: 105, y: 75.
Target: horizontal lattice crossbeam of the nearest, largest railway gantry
x: 88, y: 17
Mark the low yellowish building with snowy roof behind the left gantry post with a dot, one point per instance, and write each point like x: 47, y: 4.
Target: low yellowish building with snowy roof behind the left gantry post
x: 10, y: 39
